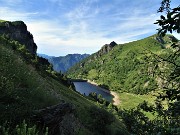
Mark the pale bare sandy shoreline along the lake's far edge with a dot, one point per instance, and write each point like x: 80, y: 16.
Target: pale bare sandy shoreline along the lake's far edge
x: 116, y: 100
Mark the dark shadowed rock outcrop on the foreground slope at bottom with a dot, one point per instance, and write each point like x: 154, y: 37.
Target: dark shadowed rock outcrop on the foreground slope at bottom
x: 59, y: 119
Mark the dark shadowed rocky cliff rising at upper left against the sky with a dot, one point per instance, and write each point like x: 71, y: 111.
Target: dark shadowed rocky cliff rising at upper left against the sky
x: 18, y: 31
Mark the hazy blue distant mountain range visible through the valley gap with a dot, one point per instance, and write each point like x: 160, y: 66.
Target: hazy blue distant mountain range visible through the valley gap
x: 63, y: 63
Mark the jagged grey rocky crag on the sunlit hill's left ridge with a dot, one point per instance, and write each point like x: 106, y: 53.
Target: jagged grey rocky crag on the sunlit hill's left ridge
x: 106, y: 48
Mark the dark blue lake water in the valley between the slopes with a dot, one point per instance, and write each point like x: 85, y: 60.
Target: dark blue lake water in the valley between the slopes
x: 86, y: 88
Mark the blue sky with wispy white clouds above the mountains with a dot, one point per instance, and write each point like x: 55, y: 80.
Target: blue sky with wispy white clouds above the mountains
x: 63, y: 27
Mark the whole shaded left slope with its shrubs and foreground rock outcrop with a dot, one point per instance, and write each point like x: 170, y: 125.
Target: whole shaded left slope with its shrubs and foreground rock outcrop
x: 30, y: 90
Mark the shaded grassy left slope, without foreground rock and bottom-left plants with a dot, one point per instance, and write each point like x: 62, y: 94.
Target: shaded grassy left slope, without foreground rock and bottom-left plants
x: 23, y: 89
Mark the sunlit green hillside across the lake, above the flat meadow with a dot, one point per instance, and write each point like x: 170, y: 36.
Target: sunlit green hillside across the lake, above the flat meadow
x: 125, y: 67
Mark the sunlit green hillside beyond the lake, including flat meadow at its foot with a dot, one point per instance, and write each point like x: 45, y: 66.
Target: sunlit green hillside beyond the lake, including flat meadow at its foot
x: 124, y: 70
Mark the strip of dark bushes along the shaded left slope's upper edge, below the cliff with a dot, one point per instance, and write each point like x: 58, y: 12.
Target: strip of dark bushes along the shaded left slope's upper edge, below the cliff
x: 41, y: 64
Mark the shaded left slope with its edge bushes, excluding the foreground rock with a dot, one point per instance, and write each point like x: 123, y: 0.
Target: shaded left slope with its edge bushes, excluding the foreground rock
x: 28, y: 83
